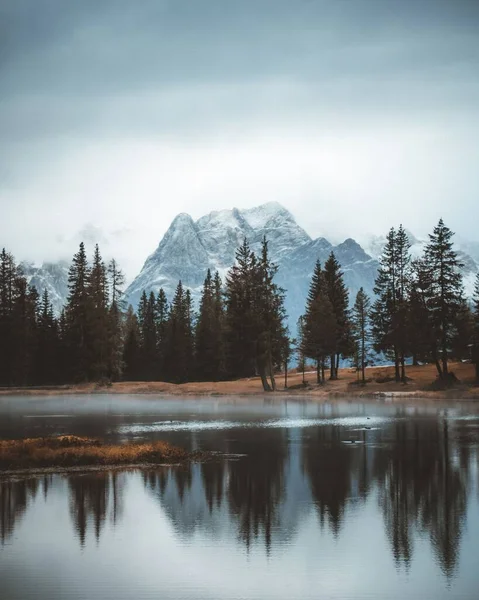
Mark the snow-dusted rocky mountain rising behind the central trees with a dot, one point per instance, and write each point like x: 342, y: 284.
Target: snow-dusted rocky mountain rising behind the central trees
x: 189, y: 248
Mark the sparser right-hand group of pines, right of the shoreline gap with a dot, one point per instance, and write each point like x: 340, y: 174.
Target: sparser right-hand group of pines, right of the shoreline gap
x: 419, y: 312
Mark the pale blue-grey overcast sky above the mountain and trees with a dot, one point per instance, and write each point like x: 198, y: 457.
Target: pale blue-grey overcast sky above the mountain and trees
x: 116, y: 115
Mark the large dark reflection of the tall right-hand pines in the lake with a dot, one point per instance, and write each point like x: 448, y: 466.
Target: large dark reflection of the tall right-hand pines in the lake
x: 421, y: 486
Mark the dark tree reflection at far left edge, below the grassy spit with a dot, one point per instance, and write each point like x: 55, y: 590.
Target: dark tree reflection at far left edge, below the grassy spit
x: 14, y: 499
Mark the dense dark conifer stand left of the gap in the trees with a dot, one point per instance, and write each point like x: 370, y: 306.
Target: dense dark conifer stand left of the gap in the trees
x: 238, y: 331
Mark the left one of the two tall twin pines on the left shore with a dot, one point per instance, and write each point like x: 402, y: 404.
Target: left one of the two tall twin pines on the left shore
x: 78, y: 318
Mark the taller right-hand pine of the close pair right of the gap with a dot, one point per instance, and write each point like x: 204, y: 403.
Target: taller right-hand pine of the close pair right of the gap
x: 338, y: 297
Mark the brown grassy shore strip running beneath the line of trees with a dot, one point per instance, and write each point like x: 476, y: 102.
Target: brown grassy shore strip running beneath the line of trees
x: 420, y: 380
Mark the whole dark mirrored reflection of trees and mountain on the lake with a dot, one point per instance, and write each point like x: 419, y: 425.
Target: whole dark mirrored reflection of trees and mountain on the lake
x: 416, y: 470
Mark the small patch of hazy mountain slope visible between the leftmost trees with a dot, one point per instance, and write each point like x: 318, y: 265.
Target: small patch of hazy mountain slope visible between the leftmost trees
x: 52, y: 277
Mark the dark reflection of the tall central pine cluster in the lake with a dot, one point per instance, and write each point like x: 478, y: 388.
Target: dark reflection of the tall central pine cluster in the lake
x: 256, y: 484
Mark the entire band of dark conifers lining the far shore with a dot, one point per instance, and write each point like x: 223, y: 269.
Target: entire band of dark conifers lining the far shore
x: 419, y: 314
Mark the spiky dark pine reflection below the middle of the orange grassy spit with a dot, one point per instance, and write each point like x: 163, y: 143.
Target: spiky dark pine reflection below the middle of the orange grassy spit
x: 89, y: 501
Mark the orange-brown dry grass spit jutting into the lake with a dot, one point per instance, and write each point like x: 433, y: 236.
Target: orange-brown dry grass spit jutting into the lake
x: 73, y: 451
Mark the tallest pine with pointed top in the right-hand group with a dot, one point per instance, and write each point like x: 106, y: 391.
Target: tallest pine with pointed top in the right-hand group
x: 445, y: 293
